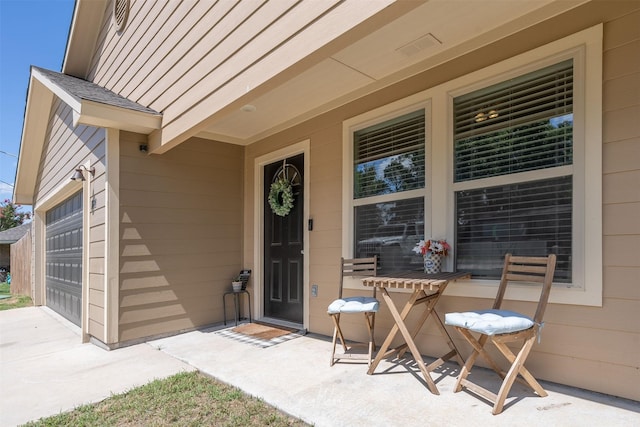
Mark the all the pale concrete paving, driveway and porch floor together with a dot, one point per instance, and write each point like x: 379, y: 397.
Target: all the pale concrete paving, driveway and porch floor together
x: 45, y: 370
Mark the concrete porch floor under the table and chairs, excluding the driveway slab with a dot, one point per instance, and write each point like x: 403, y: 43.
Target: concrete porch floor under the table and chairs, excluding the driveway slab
x: 295, y: 376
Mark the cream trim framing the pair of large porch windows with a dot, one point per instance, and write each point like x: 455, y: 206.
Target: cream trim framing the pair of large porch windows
x: 585, y: 47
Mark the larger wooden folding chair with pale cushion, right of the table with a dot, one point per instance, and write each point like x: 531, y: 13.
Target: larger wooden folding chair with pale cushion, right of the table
x: 503, y: 326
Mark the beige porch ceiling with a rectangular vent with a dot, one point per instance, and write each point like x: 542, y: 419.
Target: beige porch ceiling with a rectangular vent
x: 437, y: 30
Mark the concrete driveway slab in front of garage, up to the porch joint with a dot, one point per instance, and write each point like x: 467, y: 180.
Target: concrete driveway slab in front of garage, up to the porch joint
x: 45, y: 369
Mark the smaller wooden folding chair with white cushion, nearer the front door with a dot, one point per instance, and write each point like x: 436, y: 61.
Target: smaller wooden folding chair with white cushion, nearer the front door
x: 365, y: 305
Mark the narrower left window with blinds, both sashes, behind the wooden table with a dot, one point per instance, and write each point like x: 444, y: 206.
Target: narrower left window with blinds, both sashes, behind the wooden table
x: 389, y: 161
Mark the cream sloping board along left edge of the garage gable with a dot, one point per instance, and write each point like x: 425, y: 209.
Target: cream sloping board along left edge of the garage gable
x: 34, y: 127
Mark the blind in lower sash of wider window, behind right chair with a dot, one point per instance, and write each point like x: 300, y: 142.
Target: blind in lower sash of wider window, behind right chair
x: 529, y: 219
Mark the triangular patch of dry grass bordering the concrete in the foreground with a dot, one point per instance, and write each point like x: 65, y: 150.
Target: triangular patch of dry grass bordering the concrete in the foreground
x: 186, y: 399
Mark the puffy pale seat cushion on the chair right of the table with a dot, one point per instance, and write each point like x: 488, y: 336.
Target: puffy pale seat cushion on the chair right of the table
x: 489, y: 322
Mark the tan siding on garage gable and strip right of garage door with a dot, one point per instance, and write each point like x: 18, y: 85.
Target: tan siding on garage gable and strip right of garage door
x: 65, y: 148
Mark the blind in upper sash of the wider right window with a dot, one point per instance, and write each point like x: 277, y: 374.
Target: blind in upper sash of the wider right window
x: 519, y: 125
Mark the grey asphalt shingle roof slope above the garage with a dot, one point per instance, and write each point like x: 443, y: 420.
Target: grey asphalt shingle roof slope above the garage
x: 90, y: 91
